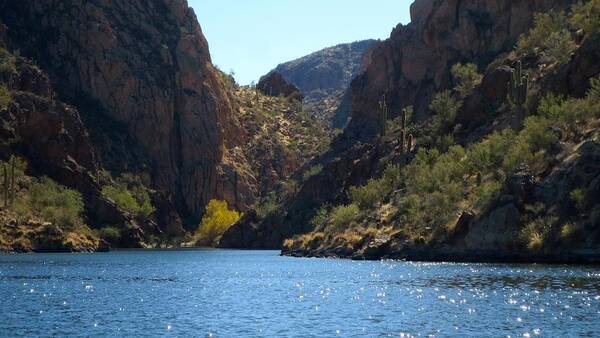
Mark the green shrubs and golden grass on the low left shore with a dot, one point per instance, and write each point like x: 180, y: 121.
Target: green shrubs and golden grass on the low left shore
x: 43, y: 215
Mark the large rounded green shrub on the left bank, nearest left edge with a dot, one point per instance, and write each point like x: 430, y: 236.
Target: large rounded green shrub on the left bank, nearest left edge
x: 56, y: 203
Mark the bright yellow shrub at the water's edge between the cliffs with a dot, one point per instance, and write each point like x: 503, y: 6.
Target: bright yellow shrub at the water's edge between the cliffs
x: 217, y: 219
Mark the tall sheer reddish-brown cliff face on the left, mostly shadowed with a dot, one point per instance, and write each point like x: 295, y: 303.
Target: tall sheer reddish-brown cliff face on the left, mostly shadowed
x: 147, y: 64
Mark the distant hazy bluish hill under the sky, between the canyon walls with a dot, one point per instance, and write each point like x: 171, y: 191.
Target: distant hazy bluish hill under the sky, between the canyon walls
x: 324, y: 76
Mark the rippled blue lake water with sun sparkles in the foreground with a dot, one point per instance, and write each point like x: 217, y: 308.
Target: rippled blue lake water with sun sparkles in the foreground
x: 259, y: 294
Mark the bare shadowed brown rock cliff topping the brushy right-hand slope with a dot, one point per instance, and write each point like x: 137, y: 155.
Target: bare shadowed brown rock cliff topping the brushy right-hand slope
x: 415, y: 61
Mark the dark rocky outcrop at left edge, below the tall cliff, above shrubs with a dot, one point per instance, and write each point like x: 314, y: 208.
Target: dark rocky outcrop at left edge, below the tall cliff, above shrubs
x: 52, y: 137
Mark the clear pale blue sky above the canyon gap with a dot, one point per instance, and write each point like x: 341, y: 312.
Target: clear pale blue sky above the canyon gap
x: 251, y: 37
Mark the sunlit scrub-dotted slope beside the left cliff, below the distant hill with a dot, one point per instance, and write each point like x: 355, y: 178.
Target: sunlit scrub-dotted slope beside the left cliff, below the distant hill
x: 281, y: 138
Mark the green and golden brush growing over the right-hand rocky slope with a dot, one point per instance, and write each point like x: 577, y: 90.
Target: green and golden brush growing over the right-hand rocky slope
x: 448, y: 191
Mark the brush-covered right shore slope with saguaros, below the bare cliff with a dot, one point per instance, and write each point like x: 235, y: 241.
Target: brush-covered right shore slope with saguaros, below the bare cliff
x: 526, y: 193
